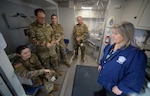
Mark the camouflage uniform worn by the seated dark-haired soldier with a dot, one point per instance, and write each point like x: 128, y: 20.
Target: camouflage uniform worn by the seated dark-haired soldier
x: 33, y: 69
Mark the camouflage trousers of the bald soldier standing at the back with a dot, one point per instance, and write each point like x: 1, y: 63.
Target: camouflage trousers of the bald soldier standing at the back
x: 82, y: 47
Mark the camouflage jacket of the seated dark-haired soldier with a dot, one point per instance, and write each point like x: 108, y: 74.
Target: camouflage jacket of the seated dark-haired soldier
x: 30, y: 68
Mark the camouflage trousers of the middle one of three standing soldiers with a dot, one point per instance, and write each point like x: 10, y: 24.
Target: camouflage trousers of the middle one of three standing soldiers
x: 61, y: 52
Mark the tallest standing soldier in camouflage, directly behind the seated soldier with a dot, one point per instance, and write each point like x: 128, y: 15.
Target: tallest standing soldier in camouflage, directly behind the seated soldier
x: 41, y: 36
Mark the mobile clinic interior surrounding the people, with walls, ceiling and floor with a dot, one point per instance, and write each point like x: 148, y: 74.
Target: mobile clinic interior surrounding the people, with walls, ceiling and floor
x: 98, y: 15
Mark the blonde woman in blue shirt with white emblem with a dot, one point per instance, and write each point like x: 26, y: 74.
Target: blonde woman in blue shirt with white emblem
x: 122, y: 67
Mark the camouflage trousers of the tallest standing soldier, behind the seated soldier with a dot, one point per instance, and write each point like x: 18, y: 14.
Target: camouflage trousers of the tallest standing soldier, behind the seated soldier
x: 49, y: 58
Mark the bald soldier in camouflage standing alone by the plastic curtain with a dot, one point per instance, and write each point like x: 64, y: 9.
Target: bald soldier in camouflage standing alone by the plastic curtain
x: 80, y: 32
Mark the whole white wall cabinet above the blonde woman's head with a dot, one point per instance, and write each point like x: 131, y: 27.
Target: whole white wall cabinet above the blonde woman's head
x: 137, y: 12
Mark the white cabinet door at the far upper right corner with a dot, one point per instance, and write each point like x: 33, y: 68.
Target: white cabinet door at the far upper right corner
x: 144, y: 20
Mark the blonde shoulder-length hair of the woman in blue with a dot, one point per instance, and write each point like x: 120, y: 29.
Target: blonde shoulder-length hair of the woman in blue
x: 126, y: 29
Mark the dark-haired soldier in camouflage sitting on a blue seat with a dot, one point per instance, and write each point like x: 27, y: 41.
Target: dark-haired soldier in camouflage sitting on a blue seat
x: 27, y: 65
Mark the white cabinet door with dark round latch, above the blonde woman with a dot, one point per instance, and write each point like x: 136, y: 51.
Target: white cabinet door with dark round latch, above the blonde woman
x: 131, y: 11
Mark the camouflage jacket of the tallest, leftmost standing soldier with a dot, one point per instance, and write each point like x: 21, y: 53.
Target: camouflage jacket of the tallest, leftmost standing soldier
x: 40, y: 35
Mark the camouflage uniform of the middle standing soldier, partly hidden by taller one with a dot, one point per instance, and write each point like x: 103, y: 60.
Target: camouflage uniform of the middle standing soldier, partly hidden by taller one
x: 61, y: 47
